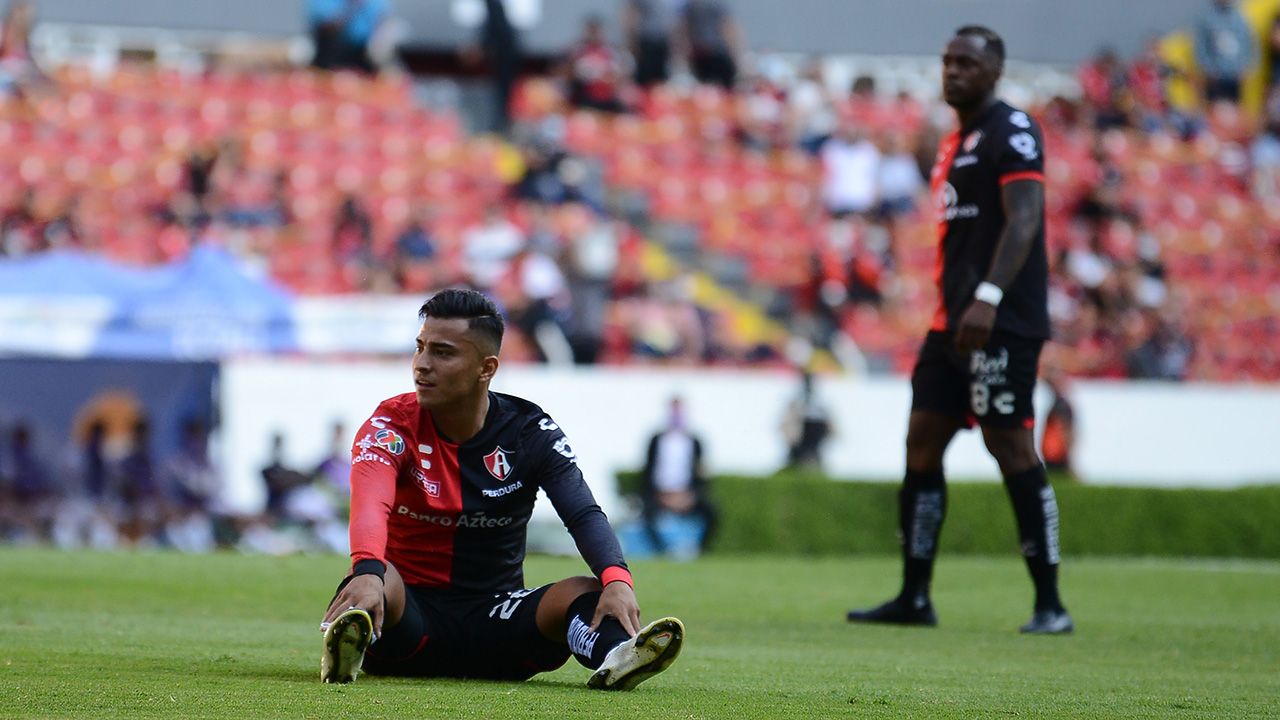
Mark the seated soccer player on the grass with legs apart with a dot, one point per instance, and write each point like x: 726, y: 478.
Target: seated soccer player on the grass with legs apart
x: 444, y: 484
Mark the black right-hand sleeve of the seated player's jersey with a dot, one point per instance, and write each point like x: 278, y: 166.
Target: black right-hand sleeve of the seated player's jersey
x: 561, y: 479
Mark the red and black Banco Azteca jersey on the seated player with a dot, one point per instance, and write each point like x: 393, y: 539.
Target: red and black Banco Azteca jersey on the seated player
x: 456, y: 516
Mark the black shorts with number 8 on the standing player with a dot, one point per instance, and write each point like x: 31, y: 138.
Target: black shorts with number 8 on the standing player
x: 991, y: 389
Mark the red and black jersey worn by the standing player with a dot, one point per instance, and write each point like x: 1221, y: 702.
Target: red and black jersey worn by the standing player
x: 975, y: 163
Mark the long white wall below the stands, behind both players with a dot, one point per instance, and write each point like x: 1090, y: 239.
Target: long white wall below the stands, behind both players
x: 1130, y: 434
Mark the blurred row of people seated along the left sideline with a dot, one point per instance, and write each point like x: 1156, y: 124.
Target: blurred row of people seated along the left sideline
x: 109, y: 490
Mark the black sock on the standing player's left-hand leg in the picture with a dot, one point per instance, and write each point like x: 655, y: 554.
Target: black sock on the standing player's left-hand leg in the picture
x: 922, y: 504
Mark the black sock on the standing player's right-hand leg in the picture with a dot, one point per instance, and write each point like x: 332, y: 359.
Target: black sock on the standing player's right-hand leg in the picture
x: 1036, y: 509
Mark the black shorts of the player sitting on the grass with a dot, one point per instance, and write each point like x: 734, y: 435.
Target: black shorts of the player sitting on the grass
x: 452, y: 635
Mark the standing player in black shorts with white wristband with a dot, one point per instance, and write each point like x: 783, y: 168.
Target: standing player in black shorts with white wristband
x: 980, y: 359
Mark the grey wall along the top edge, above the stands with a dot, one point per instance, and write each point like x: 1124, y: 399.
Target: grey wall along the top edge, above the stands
x: 1044, y: 31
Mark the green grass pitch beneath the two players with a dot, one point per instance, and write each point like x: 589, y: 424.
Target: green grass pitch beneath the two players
x: 226, y: 636
